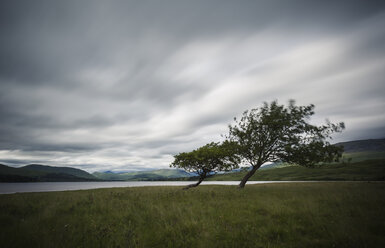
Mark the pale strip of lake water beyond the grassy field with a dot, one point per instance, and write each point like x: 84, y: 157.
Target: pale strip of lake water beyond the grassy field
x: 9, y: 188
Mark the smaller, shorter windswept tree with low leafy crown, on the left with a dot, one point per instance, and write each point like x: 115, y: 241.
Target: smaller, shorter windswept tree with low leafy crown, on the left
x: 206, y: 160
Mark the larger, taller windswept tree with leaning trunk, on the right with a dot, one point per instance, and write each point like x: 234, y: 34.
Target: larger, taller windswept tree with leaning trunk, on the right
x: 276, y: 132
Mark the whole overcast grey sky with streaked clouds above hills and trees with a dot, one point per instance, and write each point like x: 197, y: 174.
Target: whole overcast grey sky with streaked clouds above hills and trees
x: 124, y: 85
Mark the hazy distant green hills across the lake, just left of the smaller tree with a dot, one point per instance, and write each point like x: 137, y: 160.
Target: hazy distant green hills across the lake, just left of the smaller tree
x: 162, y: 174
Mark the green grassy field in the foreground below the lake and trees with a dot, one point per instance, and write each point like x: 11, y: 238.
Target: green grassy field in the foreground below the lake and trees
x: 327, y: 214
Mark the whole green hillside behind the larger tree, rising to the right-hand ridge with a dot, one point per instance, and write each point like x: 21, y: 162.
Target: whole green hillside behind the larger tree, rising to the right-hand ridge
x: 353, y: 165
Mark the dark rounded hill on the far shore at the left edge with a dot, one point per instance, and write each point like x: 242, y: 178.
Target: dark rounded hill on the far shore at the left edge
x: 43, y: 173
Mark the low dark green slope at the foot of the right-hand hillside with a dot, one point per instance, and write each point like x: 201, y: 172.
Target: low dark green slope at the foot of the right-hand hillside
x: 369, y: 170
